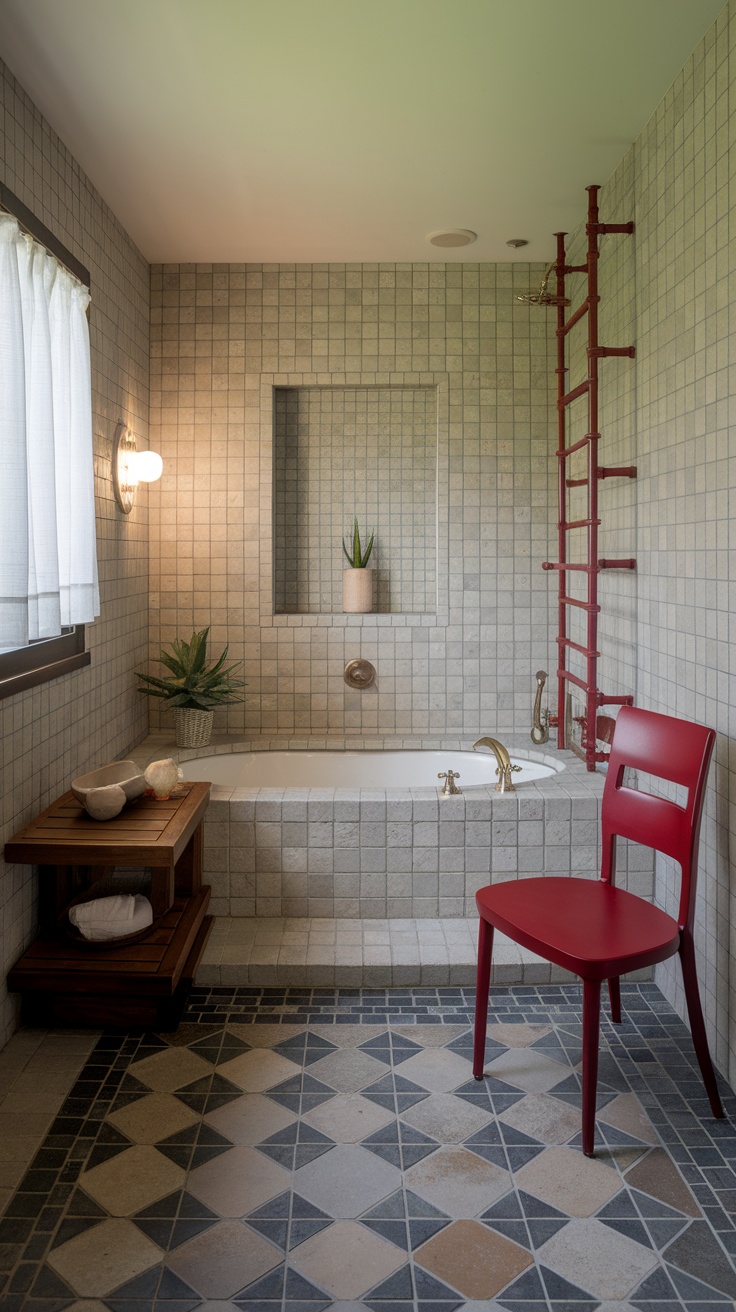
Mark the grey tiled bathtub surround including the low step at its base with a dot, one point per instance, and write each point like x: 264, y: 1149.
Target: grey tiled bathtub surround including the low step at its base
x: 331, y: 886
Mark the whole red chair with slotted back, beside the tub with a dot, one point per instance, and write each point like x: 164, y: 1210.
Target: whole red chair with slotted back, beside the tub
x: 602, y: 932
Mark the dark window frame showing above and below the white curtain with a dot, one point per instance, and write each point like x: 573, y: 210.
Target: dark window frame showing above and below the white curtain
x: 51, y: 658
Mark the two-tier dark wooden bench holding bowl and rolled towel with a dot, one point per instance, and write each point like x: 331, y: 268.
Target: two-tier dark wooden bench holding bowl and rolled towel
x: 145, y: 982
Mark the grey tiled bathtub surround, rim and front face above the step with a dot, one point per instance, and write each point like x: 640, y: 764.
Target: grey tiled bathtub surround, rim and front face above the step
x: 403, y: 853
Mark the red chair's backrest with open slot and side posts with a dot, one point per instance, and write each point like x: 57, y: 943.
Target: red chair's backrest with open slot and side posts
x: 671, y: 750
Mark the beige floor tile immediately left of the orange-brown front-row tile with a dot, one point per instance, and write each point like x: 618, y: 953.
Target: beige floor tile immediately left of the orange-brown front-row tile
x: 347, y: 1260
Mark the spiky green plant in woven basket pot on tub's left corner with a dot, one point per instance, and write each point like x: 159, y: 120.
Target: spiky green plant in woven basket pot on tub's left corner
x: 194, y: 688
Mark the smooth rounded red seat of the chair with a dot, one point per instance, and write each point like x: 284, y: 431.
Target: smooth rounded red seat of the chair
x: 587, y: 927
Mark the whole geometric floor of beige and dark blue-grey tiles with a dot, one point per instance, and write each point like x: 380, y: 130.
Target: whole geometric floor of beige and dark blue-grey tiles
x: 301, y: 1151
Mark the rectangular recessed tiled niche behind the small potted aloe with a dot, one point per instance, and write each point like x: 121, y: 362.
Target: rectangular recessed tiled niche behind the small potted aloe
x: 346, y: 452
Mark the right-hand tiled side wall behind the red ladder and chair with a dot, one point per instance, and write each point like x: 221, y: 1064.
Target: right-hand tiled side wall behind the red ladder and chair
x: 674, y: 287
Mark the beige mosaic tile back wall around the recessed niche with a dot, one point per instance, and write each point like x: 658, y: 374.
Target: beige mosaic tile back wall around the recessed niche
x: 222, y: 339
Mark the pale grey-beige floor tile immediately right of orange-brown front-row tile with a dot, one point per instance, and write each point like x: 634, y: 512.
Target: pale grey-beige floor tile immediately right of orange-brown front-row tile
x: 598, y: 1259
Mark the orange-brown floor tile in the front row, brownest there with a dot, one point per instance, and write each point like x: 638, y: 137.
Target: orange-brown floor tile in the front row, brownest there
x: 473, y: 1259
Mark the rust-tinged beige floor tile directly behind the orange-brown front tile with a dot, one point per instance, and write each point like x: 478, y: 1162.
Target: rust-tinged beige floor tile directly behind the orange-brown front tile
x: 459, y: 1181
